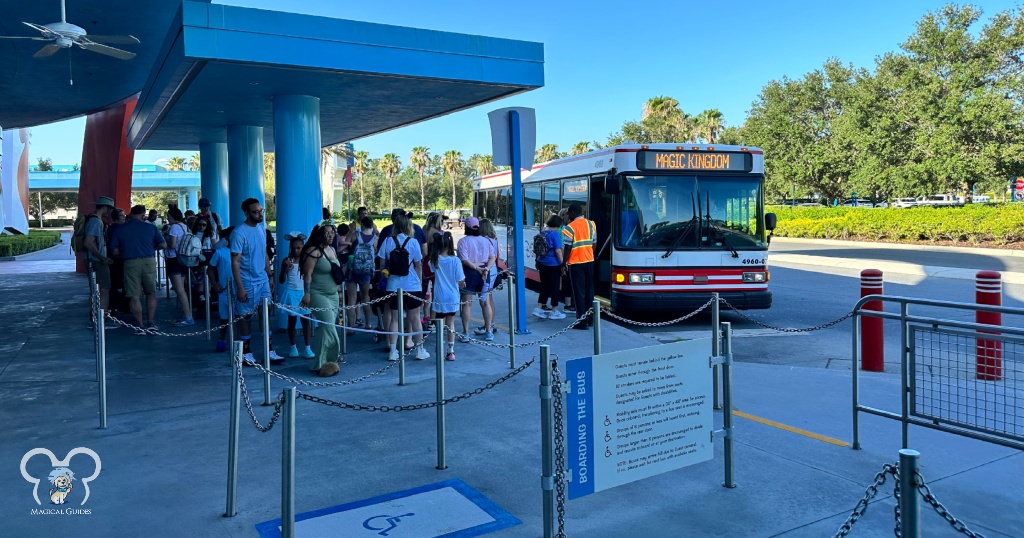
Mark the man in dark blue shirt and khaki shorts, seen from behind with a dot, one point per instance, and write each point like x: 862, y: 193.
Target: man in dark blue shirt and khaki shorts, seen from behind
x: 137, y: 242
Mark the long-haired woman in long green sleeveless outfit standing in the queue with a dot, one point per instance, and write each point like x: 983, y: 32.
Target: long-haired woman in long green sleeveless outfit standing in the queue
x: 322, y: 296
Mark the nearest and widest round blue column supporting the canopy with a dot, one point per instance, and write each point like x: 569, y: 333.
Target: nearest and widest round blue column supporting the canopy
x: 297, y: 162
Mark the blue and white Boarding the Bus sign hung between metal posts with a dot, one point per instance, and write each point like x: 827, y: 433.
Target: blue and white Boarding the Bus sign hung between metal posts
x: 637, y: 413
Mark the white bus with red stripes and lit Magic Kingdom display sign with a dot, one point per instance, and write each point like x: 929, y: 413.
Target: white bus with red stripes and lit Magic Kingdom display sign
x: 675, y: 223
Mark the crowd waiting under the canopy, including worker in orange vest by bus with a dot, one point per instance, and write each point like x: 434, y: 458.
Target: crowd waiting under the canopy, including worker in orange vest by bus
x: 357, y: 262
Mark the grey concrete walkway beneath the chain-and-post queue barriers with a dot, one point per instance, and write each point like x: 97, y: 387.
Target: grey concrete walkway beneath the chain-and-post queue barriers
x: 165, y: 452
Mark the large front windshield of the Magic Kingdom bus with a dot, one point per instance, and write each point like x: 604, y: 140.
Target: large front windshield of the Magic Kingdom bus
x: 691, y: 213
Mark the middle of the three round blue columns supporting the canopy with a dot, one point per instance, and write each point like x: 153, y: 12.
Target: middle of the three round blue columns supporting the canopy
x: 245, y: 170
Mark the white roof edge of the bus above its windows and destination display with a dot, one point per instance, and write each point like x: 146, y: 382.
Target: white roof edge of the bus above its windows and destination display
x: 601, y: 161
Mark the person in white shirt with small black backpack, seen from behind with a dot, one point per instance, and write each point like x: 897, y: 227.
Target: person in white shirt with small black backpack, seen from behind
x: 403, y: 258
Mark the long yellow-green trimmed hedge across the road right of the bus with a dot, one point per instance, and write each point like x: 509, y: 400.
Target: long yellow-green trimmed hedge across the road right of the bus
x: 973, y: 225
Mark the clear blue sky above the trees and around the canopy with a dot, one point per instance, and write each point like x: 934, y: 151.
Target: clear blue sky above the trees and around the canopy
x: 604, y: 60
